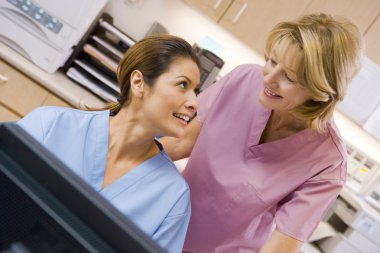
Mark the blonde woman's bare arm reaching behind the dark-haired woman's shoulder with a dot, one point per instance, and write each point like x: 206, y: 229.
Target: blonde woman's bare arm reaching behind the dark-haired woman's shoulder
x: 178, y: 148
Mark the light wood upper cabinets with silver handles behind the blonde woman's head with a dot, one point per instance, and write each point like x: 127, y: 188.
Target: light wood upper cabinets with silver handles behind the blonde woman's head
x: 251, y: 20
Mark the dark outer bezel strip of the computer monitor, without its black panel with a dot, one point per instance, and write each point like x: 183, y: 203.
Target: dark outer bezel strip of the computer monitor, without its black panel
x: 53, y: 186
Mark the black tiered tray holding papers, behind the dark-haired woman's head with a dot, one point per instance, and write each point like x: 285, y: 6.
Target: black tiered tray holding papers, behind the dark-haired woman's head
x: 95, y: 62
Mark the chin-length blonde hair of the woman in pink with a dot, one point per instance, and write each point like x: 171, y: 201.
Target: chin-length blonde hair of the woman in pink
x: 329, y: 56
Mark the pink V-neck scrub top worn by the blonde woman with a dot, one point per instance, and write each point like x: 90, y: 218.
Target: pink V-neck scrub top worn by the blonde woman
x: 241, y: 190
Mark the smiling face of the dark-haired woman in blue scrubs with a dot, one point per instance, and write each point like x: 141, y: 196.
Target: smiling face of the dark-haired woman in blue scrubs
x: 172, y: 102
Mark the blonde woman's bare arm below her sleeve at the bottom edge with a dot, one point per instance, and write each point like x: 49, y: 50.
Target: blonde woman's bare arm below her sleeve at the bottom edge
x: 279, y: 242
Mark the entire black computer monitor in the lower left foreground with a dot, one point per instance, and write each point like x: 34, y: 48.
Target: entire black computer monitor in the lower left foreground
x: 45, y: 207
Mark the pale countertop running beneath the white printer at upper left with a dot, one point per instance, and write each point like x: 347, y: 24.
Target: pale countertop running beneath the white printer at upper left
x: 57, y: 83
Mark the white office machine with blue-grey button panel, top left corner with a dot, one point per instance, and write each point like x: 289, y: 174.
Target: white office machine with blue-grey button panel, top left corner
x: 46, y: 31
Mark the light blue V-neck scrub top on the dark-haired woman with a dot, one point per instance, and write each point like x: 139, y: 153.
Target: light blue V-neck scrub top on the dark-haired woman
x: 153, y: 195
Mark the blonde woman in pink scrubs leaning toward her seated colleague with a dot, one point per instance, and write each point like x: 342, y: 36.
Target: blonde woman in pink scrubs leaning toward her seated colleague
x: 267, y: 159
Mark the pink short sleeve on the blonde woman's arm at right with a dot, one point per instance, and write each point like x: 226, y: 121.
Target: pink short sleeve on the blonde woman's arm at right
x: 299, y: 213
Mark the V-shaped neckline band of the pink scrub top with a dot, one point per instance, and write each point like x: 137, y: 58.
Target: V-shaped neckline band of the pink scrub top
x: 277, y: 146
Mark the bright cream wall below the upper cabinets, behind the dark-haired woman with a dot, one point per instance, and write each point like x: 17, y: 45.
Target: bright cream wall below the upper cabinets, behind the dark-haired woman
x: 179, y: 19
